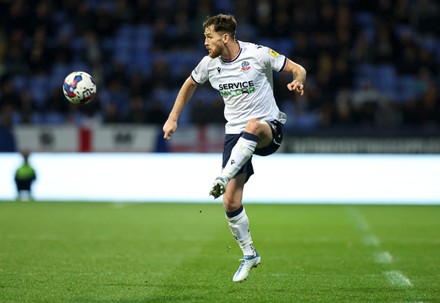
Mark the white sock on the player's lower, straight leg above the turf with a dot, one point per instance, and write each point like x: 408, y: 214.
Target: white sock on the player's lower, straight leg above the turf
x: 239, y: 226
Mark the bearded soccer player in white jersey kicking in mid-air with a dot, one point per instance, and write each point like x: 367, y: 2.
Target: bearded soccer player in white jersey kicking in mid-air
x: 242, y: 73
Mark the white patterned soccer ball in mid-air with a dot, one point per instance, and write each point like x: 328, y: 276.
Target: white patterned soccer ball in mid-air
x: 79, y: 88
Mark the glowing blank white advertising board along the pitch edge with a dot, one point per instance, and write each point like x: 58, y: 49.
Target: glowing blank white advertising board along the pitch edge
x: 186, y: 177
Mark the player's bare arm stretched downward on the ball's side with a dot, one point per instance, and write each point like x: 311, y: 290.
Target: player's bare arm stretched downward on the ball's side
x: 183, y: 97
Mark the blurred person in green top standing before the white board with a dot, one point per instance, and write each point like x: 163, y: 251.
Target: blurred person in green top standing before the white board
x: 24, y: 177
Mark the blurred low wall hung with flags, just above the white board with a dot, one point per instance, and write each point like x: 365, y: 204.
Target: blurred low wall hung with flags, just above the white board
x: 209, y: 138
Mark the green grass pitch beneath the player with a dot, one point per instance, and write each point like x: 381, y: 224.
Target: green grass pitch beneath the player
x: 105, y: 252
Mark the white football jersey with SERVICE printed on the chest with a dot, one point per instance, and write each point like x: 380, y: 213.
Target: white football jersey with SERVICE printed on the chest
x: 245, y: 83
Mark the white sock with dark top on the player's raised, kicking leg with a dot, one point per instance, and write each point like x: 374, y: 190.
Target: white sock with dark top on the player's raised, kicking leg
x: 240, y: 154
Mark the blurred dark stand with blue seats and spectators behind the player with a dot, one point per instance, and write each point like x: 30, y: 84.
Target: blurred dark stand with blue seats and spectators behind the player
x: 373, y: 66
